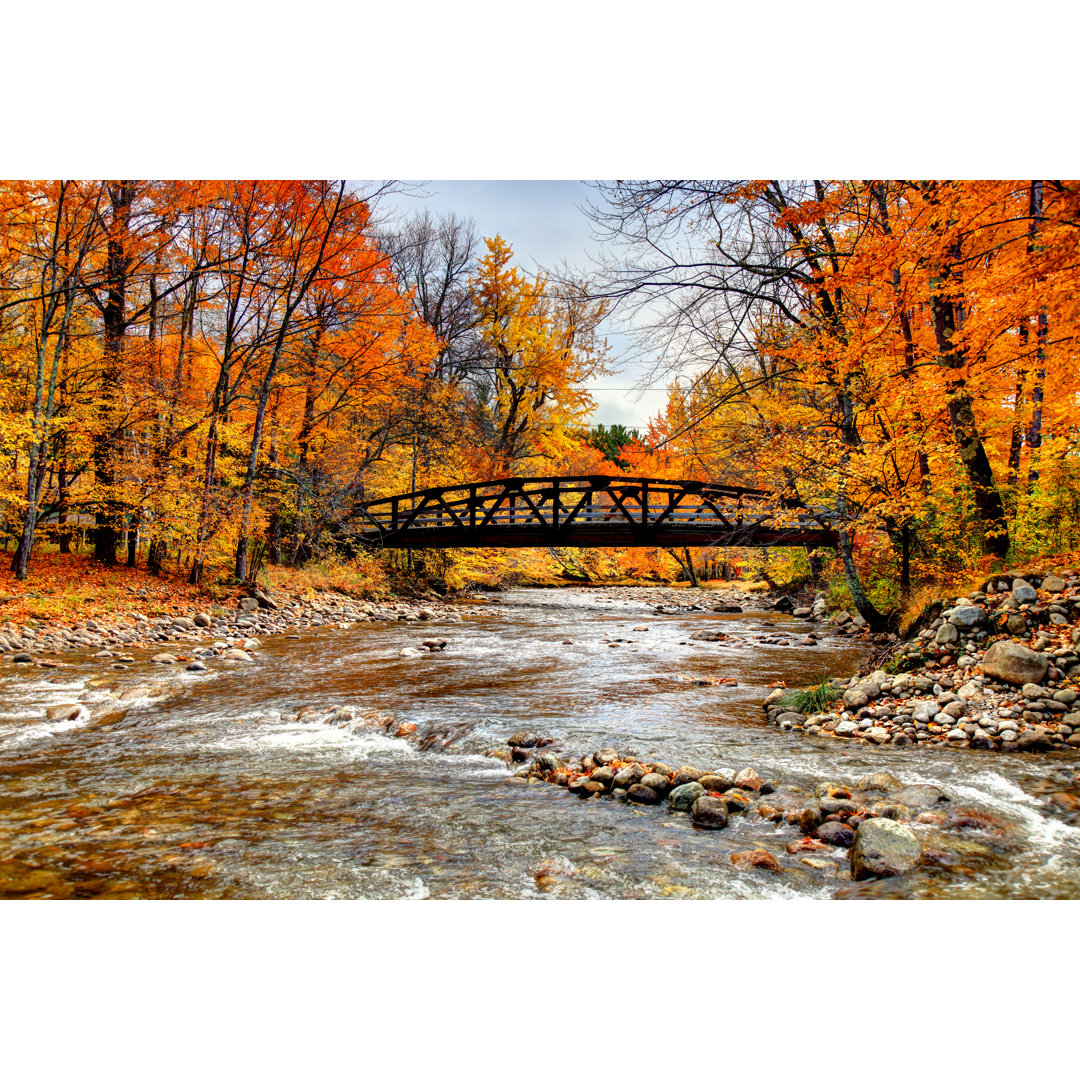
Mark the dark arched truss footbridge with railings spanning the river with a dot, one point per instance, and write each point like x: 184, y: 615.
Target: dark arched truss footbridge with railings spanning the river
x: 591, y: 512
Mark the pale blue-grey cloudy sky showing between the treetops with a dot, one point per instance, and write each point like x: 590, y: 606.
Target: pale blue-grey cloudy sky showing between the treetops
x: 543, y: 221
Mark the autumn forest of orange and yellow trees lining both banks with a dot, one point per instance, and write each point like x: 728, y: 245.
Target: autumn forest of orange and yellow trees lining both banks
x: 212, y: 377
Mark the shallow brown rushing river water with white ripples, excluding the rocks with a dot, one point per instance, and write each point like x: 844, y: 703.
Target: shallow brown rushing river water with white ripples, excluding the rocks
x: 210, y: 786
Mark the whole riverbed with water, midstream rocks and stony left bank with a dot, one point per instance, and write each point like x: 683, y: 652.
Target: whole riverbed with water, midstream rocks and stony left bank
x: 364, y: 762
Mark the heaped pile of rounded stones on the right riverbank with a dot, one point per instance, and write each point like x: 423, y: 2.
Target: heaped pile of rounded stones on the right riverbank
x: 995, y: 670
